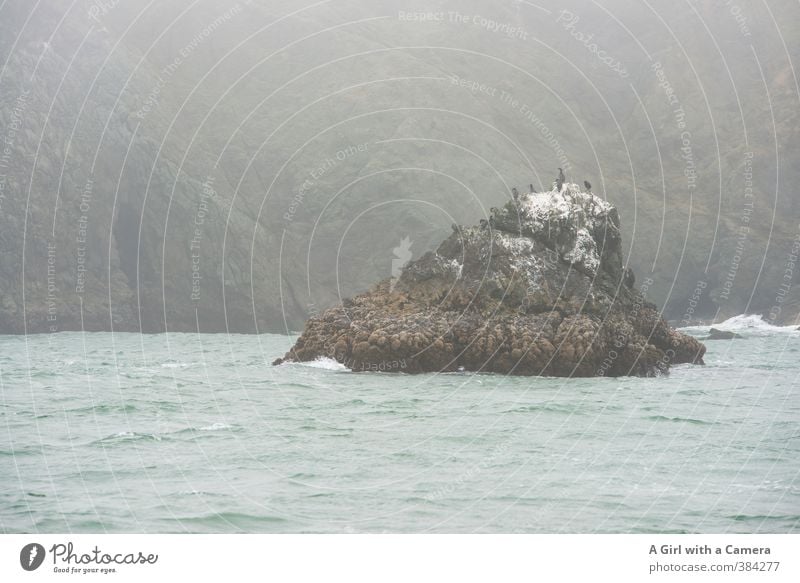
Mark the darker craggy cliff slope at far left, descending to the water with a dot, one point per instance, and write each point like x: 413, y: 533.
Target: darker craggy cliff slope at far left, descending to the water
x: 101, y: 228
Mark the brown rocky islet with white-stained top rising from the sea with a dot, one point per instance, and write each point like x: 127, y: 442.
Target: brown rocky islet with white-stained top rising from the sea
x: 538, y: 289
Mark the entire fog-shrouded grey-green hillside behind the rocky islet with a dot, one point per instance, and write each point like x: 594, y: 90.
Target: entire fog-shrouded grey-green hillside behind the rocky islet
x: 242, y: 165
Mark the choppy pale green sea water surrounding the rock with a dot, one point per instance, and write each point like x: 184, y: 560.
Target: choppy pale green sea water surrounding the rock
x: 105, y: 432
